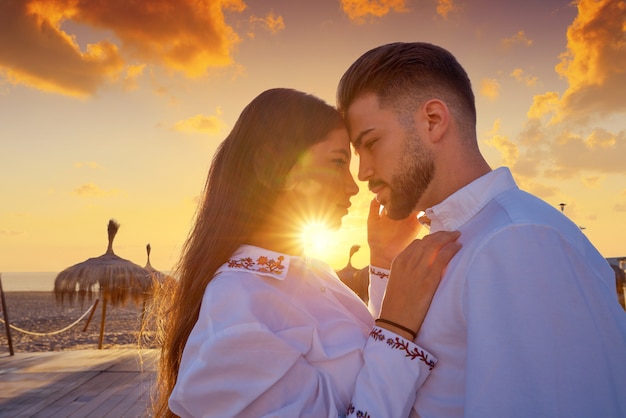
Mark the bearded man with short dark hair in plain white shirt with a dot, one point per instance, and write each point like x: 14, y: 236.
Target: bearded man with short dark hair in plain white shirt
x: 525, y: 322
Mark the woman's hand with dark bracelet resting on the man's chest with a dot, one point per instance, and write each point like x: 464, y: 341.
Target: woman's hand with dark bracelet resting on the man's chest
x: 415, y: 275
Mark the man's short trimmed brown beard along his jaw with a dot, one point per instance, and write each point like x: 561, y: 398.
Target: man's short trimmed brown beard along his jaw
x: 412, y: 176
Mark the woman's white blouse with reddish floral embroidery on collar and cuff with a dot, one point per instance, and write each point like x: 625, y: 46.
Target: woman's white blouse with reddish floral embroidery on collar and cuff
x: 282, y: 336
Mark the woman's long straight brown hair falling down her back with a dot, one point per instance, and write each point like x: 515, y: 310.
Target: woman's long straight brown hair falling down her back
x: 243, y: 184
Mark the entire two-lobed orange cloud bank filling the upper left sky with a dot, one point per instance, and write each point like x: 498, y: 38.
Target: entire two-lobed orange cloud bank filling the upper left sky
x: 184, y: 35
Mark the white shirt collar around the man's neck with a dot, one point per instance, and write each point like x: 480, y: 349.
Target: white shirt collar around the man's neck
x: 466, y: 202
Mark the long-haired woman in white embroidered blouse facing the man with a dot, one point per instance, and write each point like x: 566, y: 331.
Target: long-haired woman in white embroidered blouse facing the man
x: 255, y: 328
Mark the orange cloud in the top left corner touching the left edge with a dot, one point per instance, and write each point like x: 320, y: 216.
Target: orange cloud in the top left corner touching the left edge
x: 34, y: 51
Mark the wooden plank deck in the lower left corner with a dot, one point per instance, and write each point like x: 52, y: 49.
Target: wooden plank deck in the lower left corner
x: 80, y: 383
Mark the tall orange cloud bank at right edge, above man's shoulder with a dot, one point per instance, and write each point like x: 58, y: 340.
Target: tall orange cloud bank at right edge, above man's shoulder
x: 558, y: 140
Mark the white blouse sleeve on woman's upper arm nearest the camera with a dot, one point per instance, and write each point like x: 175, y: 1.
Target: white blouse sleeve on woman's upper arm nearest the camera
x: 244, y: 369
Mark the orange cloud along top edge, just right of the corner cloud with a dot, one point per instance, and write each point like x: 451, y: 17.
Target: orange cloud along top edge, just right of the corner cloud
x: 185, y: 35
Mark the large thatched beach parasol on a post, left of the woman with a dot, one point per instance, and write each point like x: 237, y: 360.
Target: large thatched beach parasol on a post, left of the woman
x: 113, y: 278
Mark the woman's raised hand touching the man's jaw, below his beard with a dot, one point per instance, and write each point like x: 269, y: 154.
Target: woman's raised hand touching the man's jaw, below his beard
x: 387, y: 237
